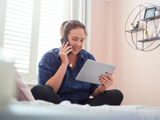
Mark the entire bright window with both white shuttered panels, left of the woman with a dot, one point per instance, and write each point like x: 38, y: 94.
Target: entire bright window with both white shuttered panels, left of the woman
x: 32, y: 27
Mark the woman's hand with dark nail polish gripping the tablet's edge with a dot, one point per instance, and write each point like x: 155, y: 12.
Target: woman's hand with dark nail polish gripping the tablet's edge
x: 106, y: 81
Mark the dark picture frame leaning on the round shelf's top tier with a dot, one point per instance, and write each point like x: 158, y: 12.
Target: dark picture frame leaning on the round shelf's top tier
x: 149, y: 12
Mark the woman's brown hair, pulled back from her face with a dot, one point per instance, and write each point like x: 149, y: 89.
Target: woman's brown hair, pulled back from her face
x: 69, y: 25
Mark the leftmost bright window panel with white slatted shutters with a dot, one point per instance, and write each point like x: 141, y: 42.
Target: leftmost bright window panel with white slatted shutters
x: 17, y: 36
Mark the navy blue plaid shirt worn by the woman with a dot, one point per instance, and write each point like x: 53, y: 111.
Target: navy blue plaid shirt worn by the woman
x: 70, y: 89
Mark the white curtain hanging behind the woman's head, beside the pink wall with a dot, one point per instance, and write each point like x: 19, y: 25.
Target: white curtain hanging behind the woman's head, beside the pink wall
x: 81, y: 10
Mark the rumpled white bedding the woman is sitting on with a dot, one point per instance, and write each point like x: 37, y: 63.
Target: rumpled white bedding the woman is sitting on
x: 41, y: 110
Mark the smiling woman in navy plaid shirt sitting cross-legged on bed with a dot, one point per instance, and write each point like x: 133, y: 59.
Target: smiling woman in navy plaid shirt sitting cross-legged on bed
x: 56, y: 77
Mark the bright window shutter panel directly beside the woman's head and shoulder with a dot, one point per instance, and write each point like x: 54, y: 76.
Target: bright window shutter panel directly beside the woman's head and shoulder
x: 50, y: 20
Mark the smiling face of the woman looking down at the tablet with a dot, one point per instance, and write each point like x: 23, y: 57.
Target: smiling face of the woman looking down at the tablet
x: 76, y: 39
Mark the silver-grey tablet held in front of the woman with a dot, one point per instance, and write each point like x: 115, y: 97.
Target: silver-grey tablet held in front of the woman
x: 91, y: 71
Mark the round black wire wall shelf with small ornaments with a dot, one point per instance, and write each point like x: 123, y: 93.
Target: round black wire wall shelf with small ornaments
x: 136, y: 36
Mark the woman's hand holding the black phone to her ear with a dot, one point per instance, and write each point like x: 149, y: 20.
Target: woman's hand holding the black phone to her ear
x: 63, y: 53
